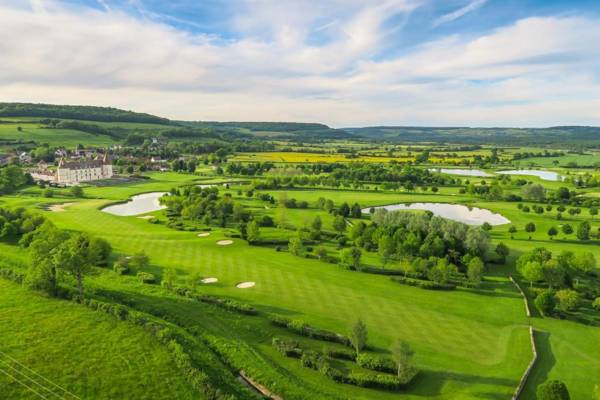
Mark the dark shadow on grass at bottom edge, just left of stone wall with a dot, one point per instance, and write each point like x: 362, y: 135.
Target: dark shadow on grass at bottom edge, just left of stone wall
x: 430, y: 383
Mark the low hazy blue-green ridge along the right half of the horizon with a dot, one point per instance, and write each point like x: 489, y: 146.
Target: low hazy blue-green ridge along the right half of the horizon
x: 579, y: 135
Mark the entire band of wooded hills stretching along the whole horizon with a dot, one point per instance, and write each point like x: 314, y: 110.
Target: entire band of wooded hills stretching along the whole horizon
x: 86, y: 118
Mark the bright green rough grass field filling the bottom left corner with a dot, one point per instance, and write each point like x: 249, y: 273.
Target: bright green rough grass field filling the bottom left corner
x: 89, y: 354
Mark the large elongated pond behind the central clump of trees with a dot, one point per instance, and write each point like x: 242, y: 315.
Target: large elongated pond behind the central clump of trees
x: 455, y: 212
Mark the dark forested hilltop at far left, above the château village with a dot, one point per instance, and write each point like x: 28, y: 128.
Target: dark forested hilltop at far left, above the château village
x: 85, y: 113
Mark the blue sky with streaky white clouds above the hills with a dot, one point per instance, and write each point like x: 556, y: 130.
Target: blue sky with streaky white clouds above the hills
x: 341, y: 62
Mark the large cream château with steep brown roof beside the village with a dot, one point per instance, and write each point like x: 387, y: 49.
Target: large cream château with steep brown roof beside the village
x: 73, y: 172
